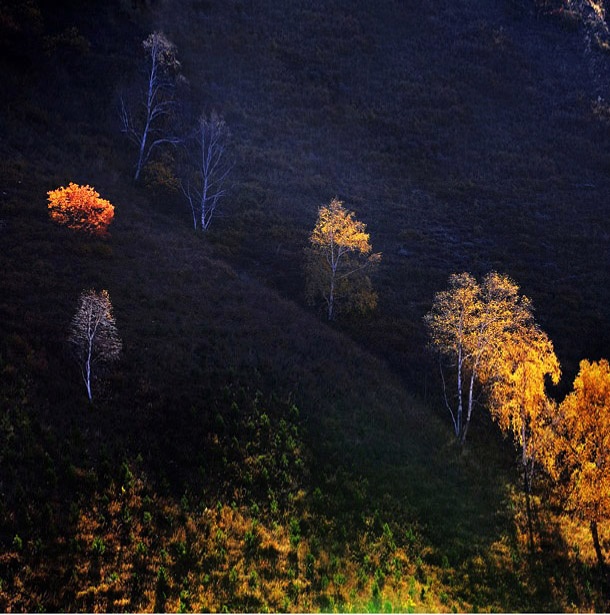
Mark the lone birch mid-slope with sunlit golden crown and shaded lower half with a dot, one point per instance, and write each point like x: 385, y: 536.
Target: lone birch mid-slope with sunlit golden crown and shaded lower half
x: 339, y: 259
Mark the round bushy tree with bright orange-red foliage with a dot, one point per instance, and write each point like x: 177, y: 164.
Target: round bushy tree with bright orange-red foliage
x: 80, y: 208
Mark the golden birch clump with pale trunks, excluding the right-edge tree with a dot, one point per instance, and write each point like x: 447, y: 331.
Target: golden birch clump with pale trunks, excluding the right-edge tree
x: 488, y: 334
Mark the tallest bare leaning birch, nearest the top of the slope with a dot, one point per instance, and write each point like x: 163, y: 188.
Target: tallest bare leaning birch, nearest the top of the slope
x: 146, y: 125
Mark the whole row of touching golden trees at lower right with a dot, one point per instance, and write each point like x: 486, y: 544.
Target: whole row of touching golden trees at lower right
x: 487, y: 335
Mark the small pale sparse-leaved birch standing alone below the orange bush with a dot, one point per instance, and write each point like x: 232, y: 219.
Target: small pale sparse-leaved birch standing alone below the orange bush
x: 93, y: 334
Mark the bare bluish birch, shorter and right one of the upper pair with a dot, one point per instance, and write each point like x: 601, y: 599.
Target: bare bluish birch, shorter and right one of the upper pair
x: 206, y: 169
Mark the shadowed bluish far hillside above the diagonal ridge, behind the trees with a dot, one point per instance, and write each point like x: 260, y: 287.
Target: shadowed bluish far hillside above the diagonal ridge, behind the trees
x: 467, y: 137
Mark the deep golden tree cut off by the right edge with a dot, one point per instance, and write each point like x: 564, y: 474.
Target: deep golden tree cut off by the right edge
x: 581, y: 460
